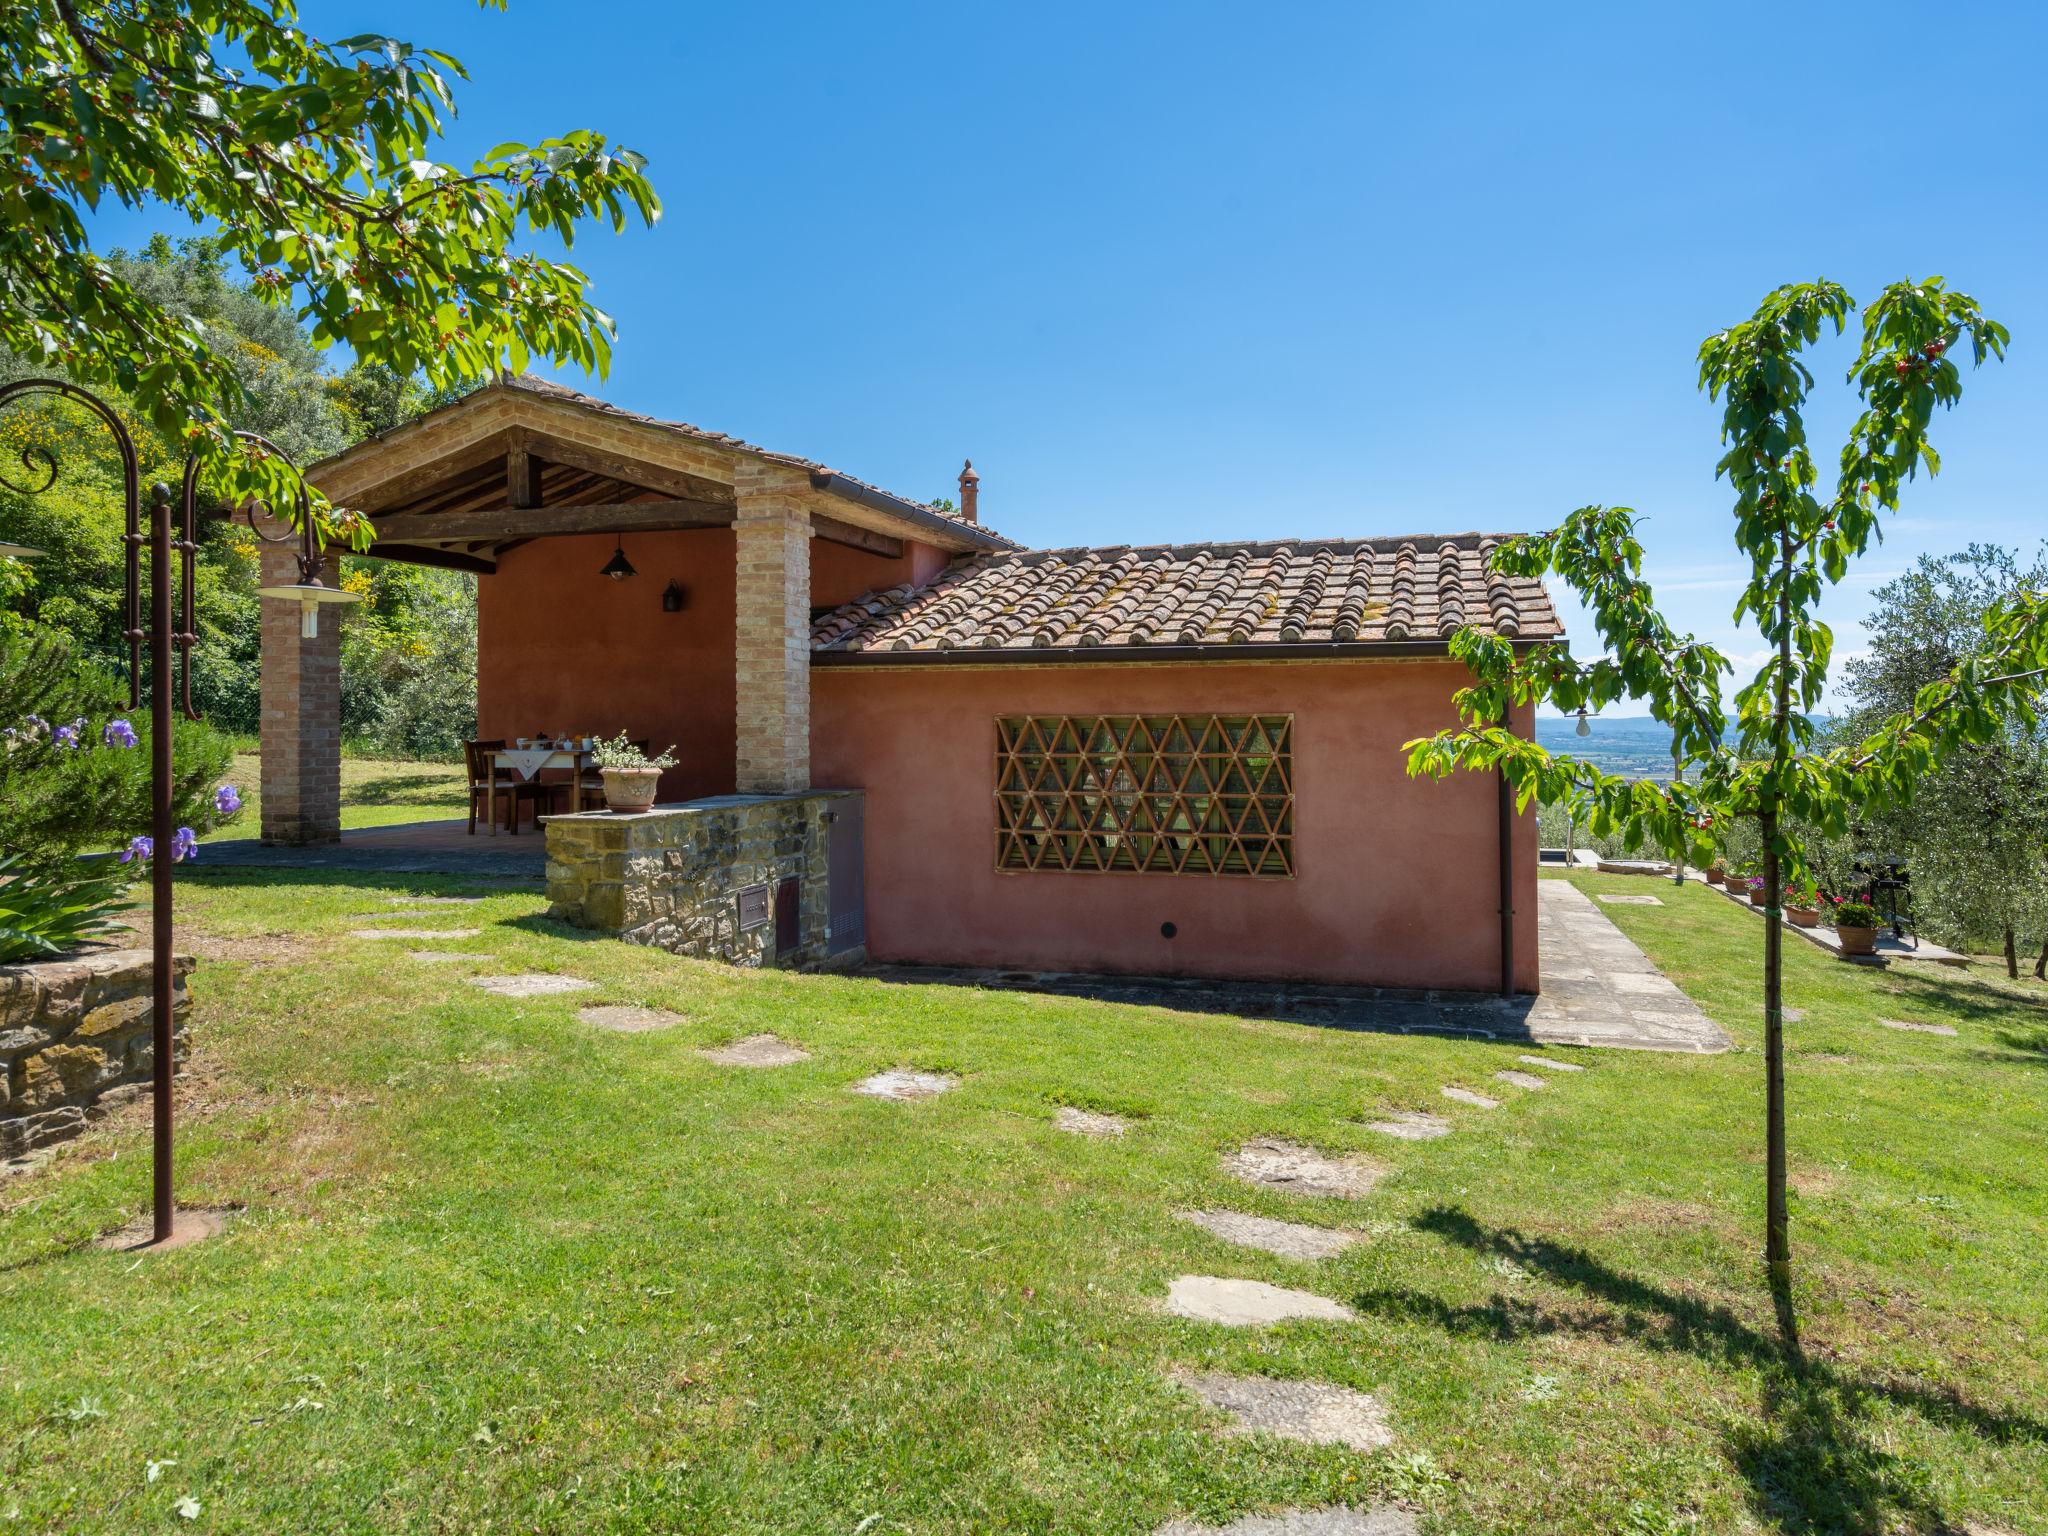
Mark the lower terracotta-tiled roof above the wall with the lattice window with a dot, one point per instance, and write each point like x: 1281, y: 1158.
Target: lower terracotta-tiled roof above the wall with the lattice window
x: 1297, y: 593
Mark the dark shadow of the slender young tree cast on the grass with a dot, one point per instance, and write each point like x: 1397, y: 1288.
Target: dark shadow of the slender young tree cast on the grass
x: 1811, y: 1459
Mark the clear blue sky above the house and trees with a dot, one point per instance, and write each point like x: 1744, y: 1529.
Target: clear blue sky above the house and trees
x: 1197, y: 271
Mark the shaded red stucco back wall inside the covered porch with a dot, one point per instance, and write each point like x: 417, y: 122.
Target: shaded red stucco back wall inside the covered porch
x: 562, y: 648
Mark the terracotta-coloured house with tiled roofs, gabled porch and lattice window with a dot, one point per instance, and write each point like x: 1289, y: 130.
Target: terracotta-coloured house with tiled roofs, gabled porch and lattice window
x: 1170, y: 761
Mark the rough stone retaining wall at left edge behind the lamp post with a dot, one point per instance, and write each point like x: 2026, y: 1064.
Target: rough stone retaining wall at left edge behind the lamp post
x: 75, y: 1037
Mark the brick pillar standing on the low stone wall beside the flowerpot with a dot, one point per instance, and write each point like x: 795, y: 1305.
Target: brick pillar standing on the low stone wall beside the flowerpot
x: 773, y: 630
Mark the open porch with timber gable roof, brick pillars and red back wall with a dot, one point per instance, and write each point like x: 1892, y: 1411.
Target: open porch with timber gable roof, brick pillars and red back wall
x: 540, y: 490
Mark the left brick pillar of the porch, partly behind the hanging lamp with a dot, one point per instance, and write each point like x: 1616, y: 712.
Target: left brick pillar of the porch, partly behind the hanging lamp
x: 302, y: 714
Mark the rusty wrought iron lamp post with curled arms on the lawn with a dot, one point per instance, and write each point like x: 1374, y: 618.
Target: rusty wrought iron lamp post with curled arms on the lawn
x: 171, y: 658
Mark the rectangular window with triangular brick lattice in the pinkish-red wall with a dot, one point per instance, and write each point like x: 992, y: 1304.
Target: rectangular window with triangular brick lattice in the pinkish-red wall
x: 1146, y: 794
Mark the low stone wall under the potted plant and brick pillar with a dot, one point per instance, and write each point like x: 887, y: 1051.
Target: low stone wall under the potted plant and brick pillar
x: 675, y: 876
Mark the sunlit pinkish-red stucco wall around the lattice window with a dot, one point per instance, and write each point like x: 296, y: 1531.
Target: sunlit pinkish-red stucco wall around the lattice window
x: 1398, y: 880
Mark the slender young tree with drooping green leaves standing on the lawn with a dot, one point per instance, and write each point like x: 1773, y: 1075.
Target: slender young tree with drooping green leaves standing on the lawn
x: 1797, y: 542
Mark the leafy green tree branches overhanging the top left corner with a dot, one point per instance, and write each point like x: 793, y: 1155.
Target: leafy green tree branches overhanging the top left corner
x: 312, y: 161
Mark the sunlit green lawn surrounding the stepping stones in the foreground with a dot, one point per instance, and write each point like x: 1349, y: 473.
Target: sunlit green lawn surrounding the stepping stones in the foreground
x: 501, y: 1271
